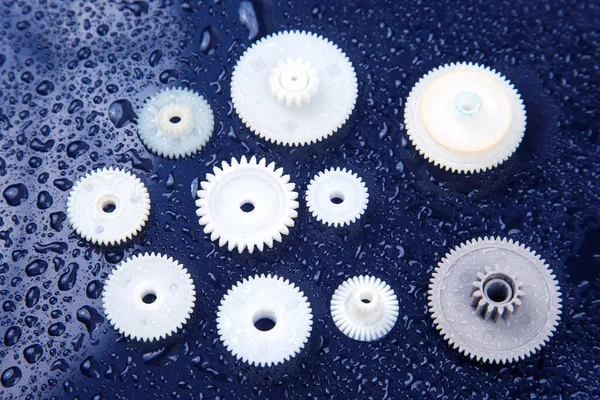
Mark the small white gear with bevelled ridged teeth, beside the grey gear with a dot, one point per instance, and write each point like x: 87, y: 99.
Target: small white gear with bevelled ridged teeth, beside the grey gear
x: 364, y: 308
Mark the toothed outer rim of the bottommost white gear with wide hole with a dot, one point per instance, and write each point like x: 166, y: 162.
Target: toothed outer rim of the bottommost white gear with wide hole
x: 233, y: 348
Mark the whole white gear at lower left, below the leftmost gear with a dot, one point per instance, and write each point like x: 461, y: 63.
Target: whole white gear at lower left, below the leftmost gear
x: 149, y: 297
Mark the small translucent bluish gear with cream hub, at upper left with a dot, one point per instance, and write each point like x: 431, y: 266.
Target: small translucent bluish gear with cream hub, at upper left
x: 176, y: 123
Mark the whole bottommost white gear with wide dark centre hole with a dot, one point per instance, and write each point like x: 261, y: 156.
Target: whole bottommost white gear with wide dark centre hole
x: 258, y: 299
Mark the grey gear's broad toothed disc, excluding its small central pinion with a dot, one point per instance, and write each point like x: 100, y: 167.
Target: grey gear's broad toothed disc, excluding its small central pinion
x: 501, y: 340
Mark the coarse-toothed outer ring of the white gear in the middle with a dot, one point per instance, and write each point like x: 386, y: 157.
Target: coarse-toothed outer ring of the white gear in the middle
x: 226, y: 233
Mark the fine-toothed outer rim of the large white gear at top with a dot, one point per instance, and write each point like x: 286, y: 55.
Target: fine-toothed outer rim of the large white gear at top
x: 343, y: 119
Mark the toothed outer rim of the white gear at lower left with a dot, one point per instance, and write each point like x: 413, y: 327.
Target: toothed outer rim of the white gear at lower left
x: 169, y: 330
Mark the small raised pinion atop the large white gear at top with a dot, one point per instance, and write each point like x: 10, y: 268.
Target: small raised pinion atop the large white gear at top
x: 294, y: 82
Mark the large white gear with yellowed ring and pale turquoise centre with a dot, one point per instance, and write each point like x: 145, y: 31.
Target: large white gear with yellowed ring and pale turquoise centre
x: 465, y: 118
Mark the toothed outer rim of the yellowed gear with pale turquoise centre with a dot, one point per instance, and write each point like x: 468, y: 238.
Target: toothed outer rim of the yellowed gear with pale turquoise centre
x: 411, y: 129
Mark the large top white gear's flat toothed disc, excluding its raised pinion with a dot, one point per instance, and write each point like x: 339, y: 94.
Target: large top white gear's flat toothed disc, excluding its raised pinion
x: 329, y: 107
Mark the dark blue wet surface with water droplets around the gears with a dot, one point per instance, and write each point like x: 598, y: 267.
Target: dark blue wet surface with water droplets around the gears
x: 73, y: 74
